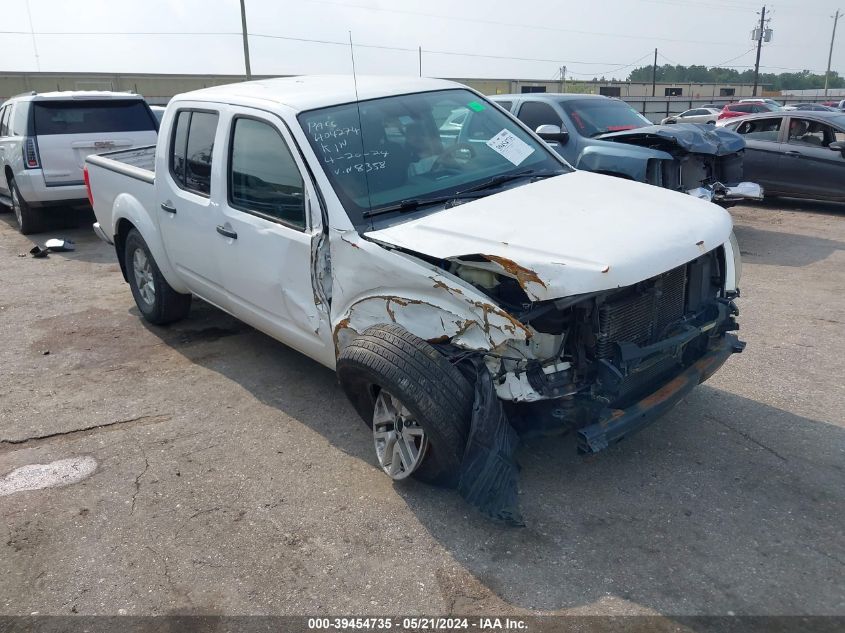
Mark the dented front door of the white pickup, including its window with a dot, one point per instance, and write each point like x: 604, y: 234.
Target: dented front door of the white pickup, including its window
x: 268, y: 235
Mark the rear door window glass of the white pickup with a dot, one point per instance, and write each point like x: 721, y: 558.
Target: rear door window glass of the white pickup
x: 191, y: 150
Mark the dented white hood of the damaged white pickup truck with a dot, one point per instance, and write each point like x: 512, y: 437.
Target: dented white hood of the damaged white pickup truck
x: 571, y: 234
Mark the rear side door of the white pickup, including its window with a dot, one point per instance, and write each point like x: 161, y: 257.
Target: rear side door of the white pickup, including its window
x: 189, y: 182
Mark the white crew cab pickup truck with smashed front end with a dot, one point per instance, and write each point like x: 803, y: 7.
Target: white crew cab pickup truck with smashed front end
x: 415, y: 237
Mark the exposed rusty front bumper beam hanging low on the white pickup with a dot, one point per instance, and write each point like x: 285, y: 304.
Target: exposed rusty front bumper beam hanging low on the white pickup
x: 615, y: 424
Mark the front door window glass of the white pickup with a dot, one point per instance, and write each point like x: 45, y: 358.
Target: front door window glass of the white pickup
x: 263, y: 176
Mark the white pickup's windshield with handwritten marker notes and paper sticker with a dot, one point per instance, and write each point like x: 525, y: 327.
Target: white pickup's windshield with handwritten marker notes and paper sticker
x: 412, y: 151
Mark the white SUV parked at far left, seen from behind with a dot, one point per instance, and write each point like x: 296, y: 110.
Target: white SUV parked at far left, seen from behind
x: 44, y: 139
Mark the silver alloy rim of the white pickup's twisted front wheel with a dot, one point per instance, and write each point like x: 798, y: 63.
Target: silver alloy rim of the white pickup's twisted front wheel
x: 400, y: 442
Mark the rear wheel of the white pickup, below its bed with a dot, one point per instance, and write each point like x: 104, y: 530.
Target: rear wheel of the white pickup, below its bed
x: 157, y: 301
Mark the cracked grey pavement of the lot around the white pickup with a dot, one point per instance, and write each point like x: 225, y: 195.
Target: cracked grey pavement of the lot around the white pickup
x: 232, y: 477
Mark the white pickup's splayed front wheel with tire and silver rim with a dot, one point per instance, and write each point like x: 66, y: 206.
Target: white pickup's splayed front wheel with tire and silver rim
x: 418, y: 403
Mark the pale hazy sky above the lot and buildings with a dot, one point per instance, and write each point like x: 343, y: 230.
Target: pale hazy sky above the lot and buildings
x: 590, y: 37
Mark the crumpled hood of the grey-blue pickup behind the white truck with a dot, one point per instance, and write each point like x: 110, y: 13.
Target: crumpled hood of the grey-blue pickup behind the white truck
x: 697, y: 138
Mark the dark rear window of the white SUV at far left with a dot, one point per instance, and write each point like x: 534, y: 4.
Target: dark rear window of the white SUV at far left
x: 92, y: 117
